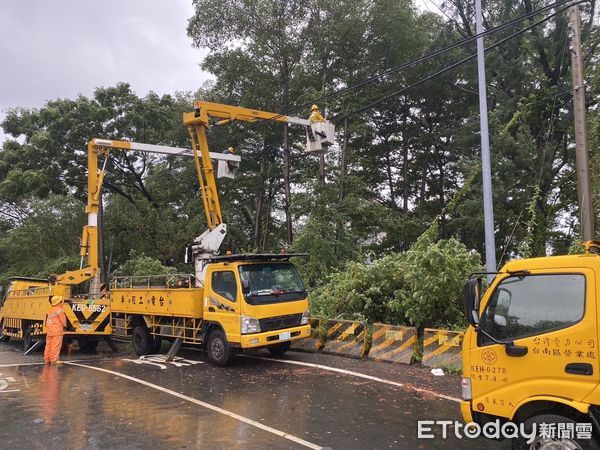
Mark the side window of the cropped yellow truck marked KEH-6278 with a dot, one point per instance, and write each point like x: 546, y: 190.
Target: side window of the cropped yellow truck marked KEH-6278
x: 524, y: 306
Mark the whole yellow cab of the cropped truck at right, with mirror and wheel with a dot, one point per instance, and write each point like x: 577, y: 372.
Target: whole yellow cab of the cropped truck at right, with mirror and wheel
x: 530, y: 354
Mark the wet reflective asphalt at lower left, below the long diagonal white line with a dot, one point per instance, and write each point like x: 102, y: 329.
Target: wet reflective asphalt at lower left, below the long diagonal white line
x: 70, y: 407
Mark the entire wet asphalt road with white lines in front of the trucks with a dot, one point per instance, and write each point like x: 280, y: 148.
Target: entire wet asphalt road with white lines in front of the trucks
x: 116, y: 401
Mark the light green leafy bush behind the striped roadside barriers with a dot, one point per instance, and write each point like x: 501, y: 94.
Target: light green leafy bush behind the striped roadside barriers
x: 420, y: 287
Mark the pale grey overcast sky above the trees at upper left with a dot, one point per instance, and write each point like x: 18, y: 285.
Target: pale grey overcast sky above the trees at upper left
x: 62, y: 48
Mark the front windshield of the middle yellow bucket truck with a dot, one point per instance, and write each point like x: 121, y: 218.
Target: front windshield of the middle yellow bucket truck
x: 271, y: 283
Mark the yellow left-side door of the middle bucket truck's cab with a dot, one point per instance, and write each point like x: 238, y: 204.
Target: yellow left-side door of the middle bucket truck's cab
x: 221, y: 303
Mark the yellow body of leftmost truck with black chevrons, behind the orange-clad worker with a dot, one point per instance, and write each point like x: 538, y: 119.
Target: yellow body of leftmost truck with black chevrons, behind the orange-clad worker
x: 26, y: 304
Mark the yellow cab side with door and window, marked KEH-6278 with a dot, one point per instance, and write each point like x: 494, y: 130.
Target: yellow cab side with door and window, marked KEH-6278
x: 552, y: 316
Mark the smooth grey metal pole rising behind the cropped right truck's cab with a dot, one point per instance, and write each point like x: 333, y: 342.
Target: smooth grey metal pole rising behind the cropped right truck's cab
x: 488, y: 203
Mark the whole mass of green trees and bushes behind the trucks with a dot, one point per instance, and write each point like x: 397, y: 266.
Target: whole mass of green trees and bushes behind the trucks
x: 411, y: 163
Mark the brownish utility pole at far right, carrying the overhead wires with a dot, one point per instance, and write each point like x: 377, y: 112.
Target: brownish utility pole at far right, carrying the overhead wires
x: 584, y: 191
